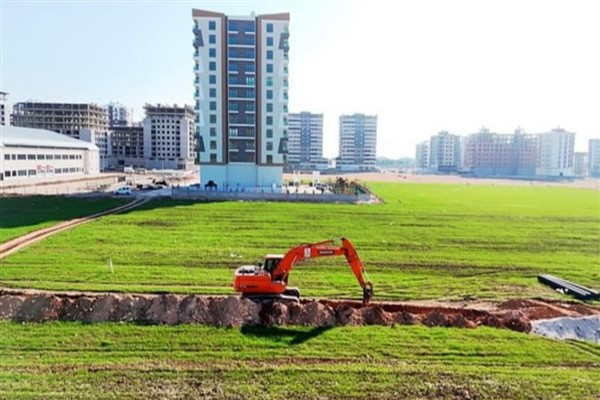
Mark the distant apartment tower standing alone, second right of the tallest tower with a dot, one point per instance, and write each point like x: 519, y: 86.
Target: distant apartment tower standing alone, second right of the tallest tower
x: 358, y: 142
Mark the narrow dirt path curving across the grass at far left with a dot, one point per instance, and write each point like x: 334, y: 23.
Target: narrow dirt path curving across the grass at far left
x: 17, y: 244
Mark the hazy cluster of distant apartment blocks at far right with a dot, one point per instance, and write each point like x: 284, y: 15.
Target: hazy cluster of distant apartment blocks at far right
x: 521, y: 155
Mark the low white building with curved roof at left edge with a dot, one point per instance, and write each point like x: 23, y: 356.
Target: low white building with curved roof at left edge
x: 30, y: 155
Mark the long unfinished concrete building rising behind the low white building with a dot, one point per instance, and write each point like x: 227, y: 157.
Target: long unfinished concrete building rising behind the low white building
x: 87, y: 122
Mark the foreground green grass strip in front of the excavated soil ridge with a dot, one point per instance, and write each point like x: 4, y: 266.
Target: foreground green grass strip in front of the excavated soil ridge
x: 121, y: 361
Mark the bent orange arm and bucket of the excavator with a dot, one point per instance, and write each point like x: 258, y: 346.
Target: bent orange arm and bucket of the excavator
x: 325, y: 249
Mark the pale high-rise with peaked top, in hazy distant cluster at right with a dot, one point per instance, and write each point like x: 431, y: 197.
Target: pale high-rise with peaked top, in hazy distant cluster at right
x: 556, y: 153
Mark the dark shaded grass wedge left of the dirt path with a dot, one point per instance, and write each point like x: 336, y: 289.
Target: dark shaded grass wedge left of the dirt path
x: 21, y: 215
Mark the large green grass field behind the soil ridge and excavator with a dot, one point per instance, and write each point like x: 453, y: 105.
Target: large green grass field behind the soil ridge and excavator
x: 427, y: 241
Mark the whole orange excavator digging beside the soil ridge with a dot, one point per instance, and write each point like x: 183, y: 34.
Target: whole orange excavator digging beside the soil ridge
x: 269, y: 280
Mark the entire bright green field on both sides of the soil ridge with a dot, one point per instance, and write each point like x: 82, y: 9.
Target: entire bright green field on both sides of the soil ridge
x: 426, y: 242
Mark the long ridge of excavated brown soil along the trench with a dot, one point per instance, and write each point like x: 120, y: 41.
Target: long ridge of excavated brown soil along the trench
x: 171, y: 309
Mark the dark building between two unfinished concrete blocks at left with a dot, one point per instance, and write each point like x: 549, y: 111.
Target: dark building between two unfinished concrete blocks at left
x: 127, y: 146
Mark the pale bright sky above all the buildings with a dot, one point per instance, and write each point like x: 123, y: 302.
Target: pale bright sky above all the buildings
x: 421, y: 66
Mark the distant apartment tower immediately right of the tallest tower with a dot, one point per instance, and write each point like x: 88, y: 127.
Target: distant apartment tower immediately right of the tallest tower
x: 305, y: 147
